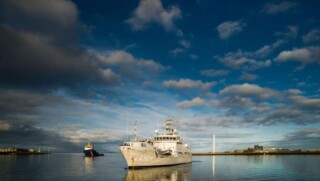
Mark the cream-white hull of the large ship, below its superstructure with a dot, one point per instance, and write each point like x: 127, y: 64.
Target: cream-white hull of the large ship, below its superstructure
x: 149, y: 158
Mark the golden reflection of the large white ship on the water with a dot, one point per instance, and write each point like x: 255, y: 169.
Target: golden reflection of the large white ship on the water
x: 168, y: 173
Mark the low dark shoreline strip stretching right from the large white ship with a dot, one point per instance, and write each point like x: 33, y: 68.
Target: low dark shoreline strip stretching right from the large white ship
x: 256, y: 153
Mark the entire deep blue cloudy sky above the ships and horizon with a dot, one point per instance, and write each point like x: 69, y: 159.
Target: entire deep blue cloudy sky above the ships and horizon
x: 74, y: 71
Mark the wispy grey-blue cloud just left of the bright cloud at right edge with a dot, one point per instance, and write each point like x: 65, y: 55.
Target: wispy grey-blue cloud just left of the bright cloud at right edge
x: 241, y: 60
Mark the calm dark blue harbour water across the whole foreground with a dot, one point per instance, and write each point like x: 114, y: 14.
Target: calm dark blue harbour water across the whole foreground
x: 112, y: 167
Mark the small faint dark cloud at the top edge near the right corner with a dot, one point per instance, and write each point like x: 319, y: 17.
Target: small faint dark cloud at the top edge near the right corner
x: 273, y: 8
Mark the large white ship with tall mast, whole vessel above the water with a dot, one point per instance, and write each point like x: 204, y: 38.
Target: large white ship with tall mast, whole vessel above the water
x: 165, y: 148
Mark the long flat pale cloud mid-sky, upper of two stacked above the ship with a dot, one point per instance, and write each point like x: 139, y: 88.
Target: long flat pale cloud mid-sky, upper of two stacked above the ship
x: 188, y: 84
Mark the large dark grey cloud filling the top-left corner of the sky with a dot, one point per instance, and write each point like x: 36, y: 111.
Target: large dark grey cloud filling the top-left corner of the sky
x: 38, y: 15
